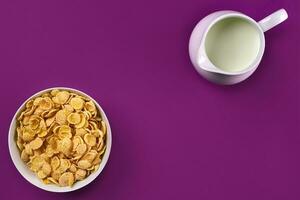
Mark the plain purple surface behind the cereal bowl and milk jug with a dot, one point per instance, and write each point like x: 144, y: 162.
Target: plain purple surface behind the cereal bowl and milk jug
x: 175, y: 135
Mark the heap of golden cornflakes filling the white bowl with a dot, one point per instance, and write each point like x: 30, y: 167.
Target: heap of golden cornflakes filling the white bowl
x: 61, y: 137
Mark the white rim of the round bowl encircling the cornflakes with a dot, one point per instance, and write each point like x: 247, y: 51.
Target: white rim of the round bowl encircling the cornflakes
x: 54, y: 188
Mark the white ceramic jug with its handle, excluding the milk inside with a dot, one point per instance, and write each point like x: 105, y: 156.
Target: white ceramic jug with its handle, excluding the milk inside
x: 200, y: 59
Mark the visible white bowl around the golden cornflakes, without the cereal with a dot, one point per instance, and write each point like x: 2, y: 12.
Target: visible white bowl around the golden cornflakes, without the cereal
x: 29, y: 175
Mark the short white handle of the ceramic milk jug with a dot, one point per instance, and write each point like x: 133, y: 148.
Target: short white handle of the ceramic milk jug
x: 274, y: 19
